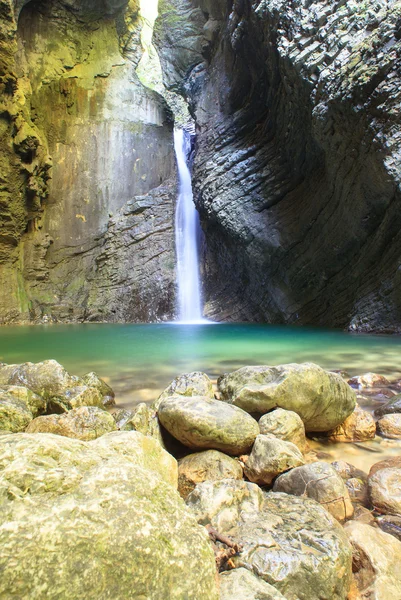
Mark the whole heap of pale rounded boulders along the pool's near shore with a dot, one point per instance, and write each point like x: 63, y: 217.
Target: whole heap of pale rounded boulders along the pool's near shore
x: 193, y: 496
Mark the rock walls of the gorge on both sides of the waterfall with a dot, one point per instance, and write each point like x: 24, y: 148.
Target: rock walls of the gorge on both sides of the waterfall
x: 296, y: 168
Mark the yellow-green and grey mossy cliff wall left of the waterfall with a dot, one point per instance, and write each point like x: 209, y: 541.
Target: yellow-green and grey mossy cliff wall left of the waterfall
x: 87, y: 180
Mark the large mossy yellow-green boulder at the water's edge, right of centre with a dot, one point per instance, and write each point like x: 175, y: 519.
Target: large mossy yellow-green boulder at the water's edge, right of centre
x: 322, y: 399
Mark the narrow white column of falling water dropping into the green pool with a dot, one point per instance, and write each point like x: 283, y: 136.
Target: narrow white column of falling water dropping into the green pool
x: 186, y: 236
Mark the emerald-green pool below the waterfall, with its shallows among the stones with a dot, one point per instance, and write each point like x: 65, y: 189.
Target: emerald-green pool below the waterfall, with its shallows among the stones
x: 139, y: 361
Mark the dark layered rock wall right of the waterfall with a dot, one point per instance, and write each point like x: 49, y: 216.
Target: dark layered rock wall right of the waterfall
x: 297, y: 173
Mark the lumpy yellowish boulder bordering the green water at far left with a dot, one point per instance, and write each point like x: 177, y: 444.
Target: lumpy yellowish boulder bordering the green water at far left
x: 56, y: 386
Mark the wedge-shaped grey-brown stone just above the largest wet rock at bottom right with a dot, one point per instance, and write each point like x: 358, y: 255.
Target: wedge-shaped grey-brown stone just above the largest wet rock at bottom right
x: 321, y: 482
